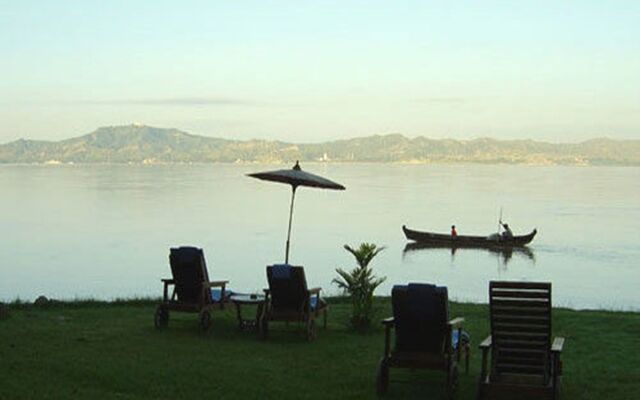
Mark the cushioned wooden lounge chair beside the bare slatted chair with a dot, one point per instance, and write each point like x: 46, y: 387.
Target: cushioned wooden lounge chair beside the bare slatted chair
x: 424, y: 335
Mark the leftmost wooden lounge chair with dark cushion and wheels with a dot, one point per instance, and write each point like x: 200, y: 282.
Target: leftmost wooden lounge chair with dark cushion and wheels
x: 192, y: 290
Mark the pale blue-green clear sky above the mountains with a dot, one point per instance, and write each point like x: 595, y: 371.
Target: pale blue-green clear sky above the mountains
x: 310, y: 71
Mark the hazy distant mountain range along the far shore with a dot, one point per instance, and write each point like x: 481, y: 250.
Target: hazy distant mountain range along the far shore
x: 145, y: 144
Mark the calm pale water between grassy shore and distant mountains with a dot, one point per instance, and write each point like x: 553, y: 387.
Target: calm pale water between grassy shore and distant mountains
x: 105, y: 231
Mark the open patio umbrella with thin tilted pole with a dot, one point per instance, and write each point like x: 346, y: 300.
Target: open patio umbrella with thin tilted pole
x: 296, y: 177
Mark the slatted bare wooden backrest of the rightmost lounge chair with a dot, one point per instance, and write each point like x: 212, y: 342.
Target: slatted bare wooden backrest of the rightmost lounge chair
x: 520, y: 328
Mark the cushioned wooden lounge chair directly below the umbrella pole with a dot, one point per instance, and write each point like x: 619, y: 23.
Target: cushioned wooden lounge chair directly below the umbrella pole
x: 288, y: 299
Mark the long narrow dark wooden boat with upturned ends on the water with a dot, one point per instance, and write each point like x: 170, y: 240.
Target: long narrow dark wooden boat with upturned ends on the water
x: 467, y: 241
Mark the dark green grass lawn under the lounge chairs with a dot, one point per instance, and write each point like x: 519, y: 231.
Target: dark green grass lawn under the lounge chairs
x: 90, y: 349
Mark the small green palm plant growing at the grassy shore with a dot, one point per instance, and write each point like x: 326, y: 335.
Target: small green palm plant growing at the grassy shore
x: 360, y: 283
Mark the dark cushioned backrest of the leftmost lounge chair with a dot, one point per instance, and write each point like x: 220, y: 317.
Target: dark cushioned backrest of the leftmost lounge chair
x: 189, y: 272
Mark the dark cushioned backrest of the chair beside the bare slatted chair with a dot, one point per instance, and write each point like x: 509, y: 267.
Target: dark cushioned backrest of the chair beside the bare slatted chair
x: 420, y: 313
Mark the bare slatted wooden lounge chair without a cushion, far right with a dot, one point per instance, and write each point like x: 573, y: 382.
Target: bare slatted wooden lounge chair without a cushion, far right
x: 524, y: 360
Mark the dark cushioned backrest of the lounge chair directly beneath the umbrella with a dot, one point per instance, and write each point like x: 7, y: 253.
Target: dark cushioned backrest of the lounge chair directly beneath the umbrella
x: 288, y: 287
